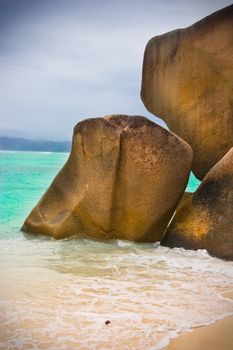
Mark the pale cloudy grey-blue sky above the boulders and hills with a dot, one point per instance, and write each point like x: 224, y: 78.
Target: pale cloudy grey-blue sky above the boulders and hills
x: 62, y: 61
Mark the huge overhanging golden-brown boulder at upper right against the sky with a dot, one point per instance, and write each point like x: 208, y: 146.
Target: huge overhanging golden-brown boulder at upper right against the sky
x: 187, y: 81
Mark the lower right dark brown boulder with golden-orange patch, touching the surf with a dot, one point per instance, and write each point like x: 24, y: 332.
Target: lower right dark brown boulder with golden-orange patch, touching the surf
x: 205, y: 220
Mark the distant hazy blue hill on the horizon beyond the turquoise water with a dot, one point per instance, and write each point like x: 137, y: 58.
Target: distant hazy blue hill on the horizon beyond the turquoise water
x: 21, y: 144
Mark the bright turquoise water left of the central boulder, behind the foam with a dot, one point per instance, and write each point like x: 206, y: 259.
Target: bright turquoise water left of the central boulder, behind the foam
x: 24, y: 177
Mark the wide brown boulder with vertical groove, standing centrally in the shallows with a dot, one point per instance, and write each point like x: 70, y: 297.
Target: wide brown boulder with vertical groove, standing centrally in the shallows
x: 123, y: 180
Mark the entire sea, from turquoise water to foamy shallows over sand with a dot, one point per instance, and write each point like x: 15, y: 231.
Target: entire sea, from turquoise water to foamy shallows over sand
x: 84, y: 294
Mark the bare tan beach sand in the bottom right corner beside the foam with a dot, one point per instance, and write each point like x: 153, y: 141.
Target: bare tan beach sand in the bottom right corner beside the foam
x: 215, y: 336
